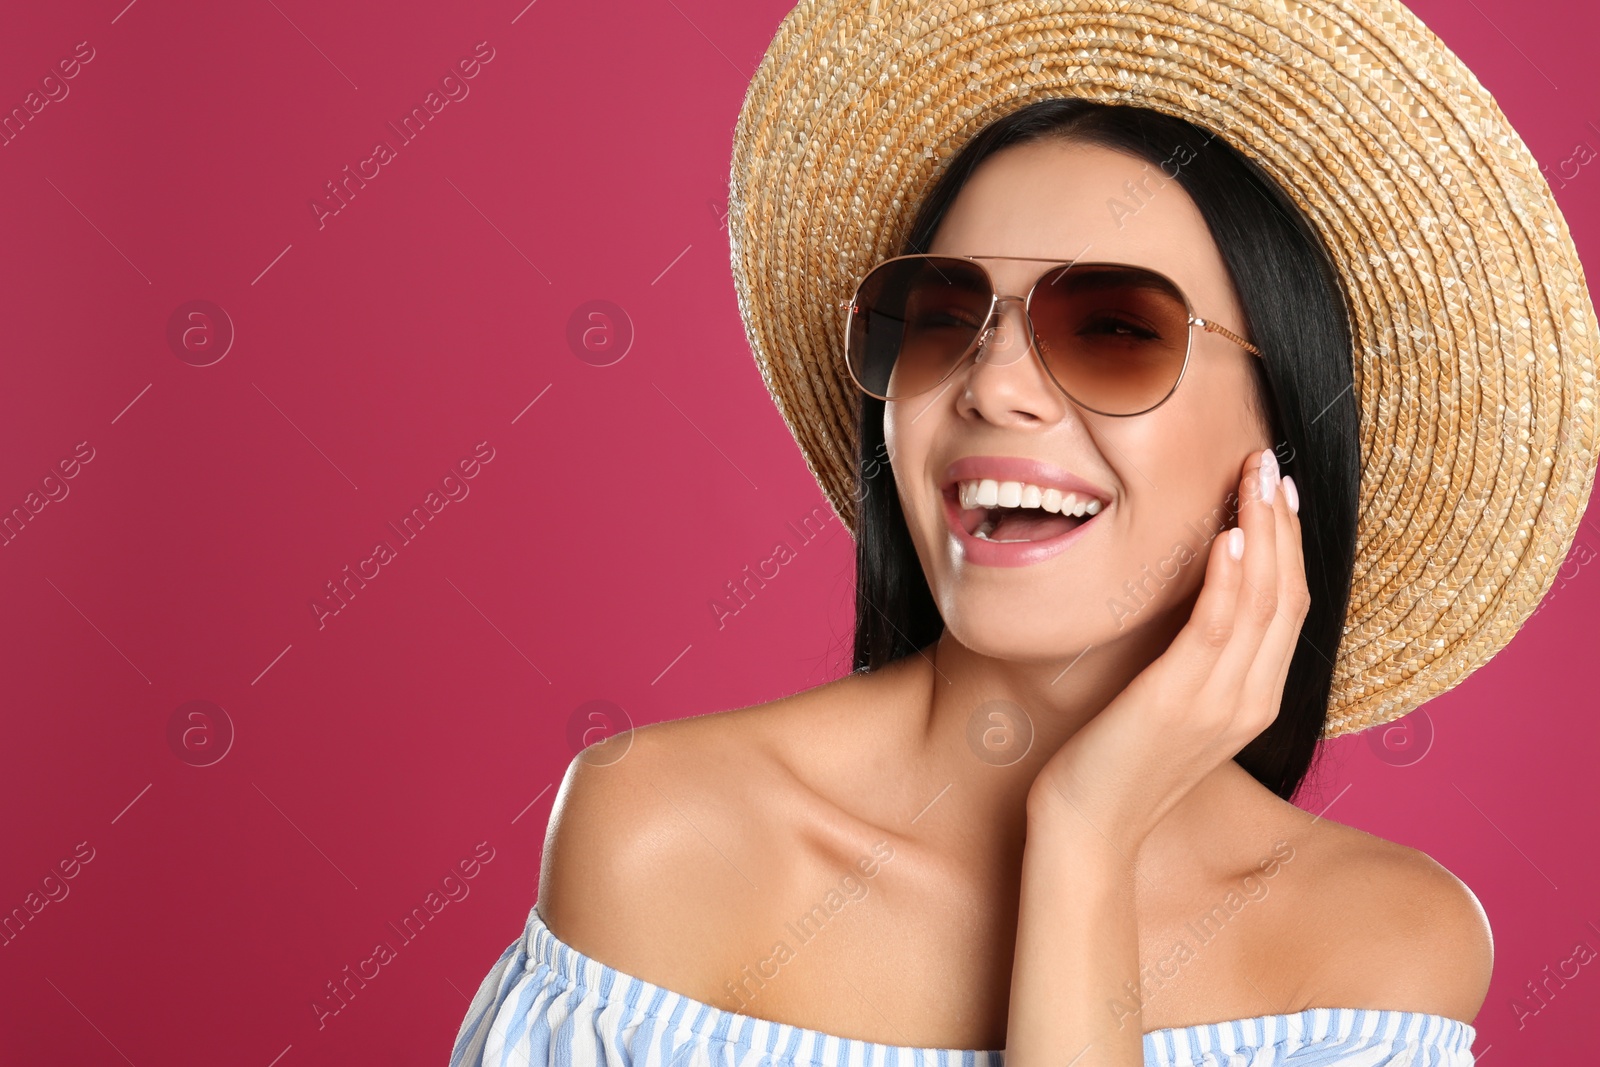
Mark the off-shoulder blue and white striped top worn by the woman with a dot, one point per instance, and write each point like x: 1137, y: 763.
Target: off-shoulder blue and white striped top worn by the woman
x: 548, y: 1005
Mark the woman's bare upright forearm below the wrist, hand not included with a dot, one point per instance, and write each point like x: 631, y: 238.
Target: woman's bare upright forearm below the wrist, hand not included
x: 1074, y: 978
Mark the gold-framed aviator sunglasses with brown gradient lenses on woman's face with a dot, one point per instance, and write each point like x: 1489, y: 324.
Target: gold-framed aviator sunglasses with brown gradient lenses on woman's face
x: 1113, y: 337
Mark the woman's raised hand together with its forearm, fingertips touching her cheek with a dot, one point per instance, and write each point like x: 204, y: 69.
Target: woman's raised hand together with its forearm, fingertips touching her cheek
x: 1076, y: 973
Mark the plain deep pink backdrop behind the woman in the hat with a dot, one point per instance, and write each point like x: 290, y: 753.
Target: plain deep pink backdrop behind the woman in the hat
x: 366, y: 757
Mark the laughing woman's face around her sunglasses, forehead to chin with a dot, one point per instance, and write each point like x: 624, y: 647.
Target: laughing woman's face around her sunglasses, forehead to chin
x: 1166, y: 481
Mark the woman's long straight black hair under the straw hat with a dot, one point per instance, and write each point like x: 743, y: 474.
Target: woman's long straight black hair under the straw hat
x: 1295, y: 314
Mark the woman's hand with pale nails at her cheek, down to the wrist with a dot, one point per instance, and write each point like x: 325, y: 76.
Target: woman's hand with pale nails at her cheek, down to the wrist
x: 1209, y: 695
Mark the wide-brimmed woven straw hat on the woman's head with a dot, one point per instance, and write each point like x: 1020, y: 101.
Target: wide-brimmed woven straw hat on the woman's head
x: 1473, y: 327
